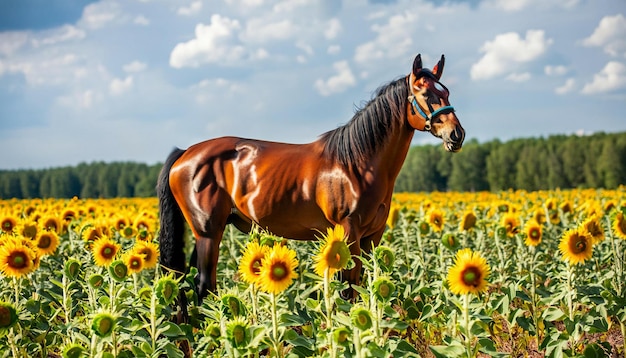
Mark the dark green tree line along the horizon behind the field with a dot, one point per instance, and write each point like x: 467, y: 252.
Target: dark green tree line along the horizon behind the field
x: 594, y: 161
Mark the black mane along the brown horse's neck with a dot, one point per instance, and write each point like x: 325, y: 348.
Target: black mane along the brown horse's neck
x: 368, y: 129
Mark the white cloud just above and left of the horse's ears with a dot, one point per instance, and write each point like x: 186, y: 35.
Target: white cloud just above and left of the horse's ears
x: 393, y: 40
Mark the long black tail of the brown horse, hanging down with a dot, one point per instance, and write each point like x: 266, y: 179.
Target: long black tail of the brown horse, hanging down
x: 171, y: 234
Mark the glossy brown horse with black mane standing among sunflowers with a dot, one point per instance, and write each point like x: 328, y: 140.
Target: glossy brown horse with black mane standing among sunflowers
x: 345, y: 177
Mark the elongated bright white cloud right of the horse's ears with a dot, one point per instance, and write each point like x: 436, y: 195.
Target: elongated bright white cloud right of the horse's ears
x: 507, y: 51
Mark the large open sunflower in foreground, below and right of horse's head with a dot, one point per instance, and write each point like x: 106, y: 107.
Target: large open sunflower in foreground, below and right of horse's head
x: 469, y: 273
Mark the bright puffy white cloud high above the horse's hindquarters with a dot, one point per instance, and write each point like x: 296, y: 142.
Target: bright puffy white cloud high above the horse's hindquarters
x: 215, y: 42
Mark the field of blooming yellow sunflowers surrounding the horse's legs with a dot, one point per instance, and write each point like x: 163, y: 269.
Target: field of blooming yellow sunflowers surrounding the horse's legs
x: 506, y: 274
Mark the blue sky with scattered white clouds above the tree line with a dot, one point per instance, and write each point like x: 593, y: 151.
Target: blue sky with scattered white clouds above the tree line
x: 84, y: 81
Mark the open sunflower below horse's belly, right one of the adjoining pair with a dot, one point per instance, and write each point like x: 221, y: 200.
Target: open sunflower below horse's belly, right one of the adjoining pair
x: 278, y: 269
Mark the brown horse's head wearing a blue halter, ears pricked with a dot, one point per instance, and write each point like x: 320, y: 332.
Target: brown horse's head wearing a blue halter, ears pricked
x: 428, y: 106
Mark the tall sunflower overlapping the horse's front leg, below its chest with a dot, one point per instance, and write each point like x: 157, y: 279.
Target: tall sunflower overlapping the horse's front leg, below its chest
x: 334, y: 253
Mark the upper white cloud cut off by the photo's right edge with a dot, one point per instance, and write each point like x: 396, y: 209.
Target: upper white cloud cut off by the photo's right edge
x: 610, y: 34
